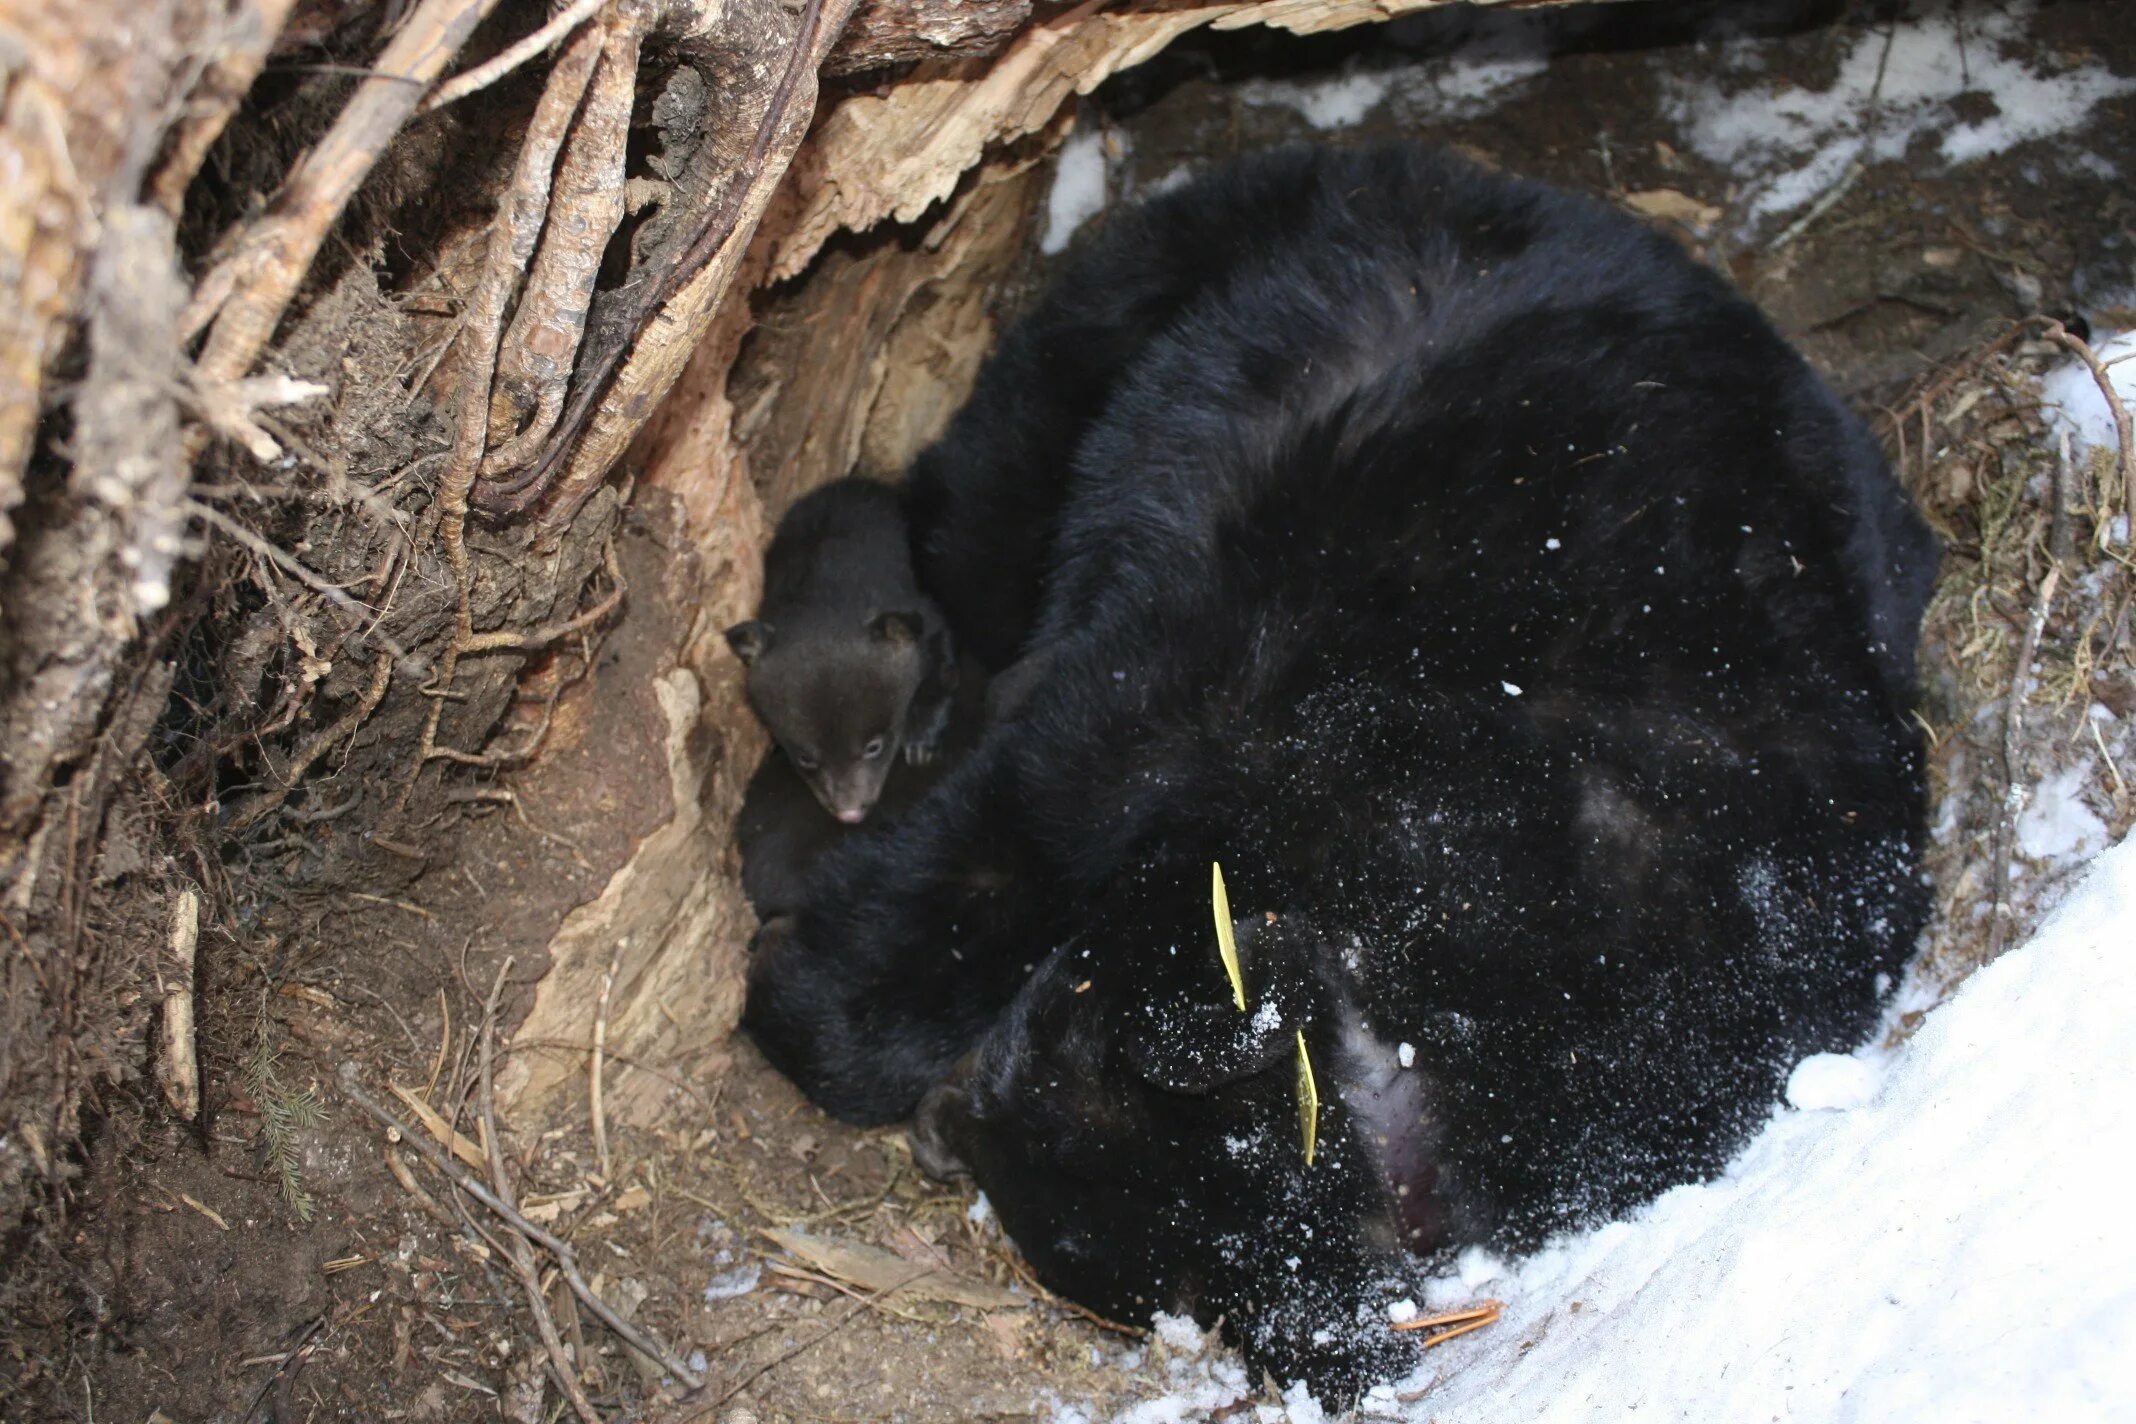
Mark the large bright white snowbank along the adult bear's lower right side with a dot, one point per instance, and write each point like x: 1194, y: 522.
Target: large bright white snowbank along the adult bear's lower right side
x: 1930, y: 1235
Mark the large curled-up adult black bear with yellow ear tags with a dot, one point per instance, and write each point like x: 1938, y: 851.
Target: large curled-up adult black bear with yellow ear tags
x: 1522, y: 627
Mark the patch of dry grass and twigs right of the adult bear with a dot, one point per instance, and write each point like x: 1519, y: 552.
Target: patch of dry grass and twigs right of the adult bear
x: 2032, y: 543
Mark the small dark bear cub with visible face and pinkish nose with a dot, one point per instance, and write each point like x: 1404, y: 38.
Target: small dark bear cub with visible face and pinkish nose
x: 851, y: 665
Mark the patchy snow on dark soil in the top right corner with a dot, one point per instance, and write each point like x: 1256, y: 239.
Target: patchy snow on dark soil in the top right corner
x: 1894, y: 86
